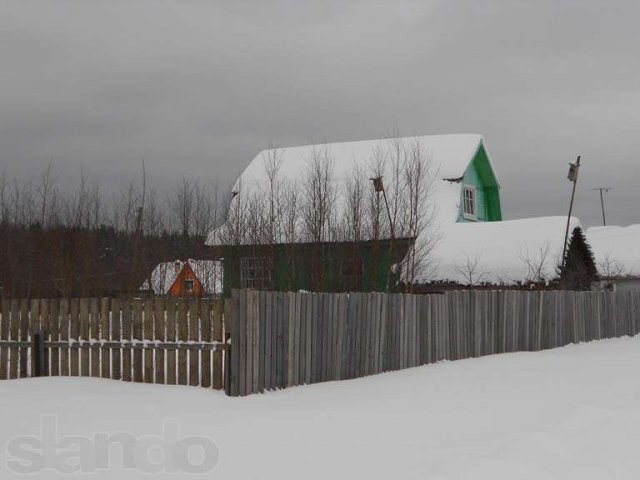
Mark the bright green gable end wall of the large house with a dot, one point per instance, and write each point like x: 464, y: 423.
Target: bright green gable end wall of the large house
x: 480, y: 175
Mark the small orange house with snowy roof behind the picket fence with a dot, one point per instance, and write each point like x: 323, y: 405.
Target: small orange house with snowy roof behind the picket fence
x: 189, y: 278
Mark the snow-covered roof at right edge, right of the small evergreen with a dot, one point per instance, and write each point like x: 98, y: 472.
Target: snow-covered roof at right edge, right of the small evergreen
x: 616, y: 249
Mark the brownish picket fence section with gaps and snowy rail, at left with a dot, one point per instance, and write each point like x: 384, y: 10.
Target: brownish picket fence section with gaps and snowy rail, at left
x: 160, y: 340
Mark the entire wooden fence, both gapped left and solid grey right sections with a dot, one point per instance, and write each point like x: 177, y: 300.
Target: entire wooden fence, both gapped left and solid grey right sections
x: 283, y: 339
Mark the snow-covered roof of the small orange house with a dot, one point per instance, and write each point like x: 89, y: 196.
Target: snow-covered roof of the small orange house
x: 209, y: 272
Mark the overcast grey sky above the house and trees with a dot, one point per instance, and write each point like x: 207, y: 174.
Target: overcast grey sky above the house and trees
x: 197, y: 87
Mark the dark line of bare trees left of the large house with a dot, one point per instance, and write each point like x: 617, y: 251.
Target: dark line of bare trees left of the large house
x: 60, y: 241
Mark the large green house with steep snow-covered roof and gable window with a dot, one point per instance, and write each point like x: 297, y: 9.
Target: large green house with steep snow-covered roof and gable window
x: 310, y: 218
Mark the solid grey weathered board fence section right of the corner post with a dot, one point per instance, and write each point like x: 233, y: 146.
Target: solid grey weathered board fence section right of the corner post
x: 284, y: 339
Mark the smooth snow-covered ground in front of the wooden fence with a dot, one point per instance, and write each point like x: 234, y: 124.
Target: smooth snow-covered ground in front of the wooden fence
x: 570, y: 413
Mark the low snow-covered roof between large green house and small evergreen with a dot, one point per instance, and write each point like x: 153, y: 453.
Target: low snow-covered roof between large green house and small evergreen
x: 505, y: 252
